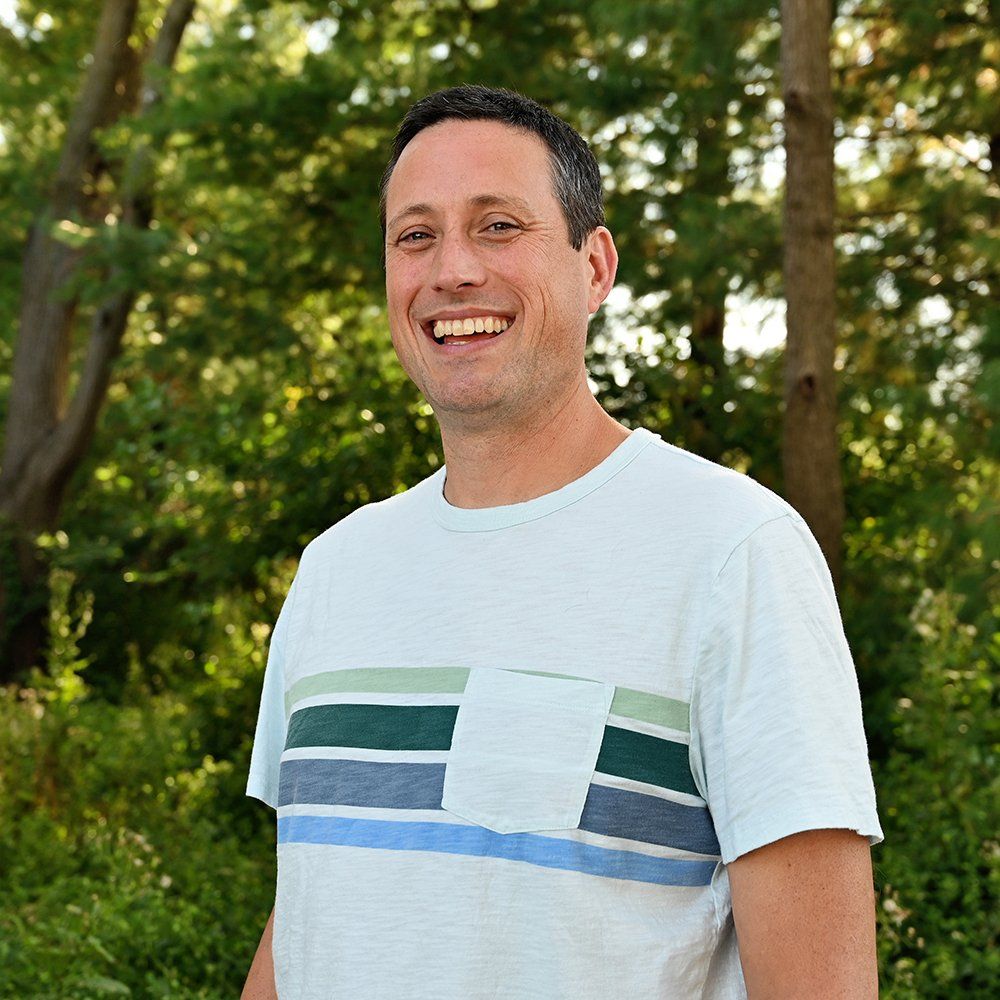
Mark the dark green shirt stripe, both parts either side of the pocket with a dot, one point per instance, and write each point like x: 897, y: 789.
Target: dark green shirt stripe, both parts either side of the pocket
x: 623, y: 753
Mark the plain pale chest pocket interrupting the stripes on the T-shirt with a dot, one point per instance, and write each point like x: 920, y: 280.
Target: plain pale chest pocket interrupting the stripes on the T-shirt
x: 524, y: 749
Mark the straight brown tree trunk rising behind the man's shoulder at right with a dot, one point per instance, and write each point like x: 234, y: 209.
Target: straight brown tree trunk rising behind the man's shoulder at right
x: 810, y: 447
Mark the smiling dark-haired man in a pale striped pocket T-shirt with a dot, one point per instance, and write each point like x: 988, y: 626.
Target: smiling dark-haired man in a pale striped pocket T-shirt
x: 574, y: 718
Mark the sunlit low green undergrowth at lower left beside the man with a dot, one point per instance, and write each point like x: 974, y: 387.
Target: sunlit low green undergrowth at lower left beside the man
x: 133, y: 864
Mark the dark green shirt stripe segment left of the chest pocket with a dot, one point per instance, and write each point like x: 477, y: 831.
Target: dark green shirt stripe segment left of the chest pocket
x: 377, y: 727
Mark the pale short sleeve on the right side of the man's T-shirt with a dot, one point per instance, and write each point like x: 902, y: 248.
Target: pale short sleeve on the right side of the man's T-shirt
x: 778, y: 744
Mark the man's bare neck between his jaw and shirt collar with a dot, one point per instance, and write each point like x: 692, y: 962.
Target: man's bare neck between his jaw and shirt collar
x: 495, y: 468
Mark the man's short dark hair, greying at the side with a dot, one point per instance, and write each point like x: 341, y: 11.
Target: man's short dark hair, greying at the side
x: 576, y: 178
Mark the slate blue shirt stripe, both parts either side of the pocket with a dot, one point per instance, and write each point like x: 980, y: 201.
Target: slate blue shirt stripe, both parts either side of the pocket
x: 611, y: 812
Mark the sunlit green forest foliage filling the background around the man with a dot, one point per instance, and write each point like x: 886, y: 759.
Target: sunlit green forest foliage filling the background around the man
x: 228, y: 218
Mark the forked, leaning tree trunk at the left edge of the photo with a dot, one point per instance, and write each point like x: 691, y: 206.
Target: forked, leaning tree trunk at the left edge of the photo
x: 47, y: 434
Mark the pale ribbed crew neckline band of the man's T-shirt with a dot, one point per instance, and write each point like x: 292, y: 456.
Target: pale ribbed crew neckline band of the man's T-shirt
x: 507, y: 515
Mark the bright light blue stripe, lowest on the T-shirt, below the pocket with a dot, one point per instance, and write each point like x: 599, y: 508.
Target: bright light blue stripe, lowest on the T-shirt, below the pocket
x: 449, y: 838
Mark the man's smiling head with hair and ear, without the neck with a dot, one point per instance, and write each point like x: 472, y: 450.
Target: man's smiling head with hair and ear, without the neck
x: 479, y: 227
